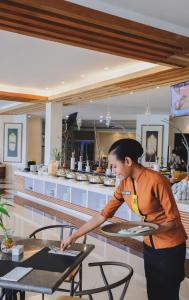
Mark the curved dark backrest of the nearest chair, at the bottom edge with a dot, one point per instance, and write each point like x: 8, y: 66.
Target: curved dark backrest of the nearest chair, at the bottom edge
x: 109, y: 287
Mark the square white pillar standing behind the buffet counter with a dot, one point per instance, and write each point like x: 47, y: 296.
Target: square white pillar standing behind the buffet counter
x: 53, y: 129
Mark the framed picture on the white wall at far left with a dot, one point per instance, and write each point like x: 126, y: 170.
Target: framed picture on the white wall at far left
x: 12, y: 142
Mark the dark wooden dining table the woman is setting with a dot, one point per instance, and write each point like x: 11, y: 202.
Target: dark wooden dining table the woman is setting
x: 41, y: 280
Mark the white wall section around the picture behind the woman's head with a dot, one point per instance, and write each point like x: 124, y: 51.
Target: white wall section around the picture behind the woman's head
x: 154, y: 120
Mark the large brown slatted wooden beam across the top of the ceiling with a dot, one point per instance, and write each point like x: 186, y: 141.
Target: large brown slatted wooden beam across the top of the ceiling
x: 72, y: 24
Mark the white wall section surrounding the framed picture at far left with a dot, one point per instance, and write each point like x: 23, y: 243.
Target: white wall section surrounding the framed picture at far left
x: 11, y: 167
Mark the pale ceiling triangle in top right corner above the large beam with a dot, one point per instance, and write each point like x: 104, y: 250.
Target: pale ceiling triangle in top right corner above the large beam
x: 171, y: 15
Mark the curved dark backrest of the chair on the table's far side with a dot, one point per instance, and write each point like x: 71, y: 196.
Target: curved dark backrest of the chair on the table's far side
x: 62, y: 227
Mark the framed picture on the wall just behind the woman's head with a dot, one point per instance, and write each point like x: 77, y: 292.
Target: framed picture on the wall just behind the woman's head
x: 152, y: 143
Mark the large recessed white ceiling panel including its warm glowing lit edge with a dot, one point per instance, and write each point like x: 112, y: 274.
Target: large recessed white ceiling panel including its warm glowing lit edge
x: 41, y: 67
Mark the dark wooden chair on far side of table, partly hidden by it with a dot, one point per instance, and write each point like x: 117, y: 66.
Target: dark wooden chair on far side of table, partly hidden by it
x: 74, y: 284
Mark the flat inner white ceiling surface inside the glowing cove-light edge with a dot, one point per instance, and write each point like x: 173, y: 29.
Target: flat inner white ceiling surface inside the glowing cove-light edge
x: 40, y: 64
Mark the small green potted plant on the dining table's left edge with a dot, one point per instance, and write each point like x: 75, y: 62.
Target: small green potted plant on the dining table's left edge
x: 7, y: 241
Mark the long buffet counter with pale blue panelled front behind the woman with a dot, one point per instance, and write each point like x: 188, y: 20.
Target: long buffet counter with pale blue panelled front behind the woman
x: 81, y: 199
